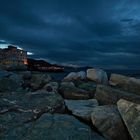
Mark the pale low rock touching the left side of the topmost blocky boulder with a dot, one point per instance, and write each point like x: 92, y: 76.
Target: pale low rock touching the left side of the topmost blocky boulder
x: 75, y: 76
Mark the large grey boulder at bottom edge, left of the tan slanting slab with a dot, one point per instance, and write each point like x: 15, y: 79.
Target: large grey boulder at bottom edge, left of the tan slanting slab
x: 108, y: 122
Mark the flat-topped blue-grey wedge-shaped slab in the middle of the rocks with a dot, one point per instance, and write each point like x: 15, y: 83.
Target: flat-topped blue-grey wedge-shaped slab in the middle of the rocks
x: 81, y: 108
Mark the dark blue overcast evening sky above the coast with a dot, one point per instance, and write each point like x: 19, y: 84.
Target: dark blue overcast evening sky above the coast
x: 98, y: 33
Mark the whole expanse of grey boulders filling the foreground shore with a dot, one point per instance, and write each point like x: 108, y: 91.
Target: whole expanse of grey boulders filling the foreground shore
x: 82, y: 106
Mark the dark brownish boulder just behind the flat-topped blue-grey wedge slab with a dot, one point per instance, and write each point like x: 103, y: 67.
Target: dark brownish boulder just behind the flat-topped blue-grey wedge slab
x: 69, y: 91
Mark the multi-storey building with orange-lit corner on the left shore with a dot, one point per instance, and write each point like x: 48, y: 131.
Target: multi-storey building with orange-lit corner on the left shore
x: 13, y: 56
